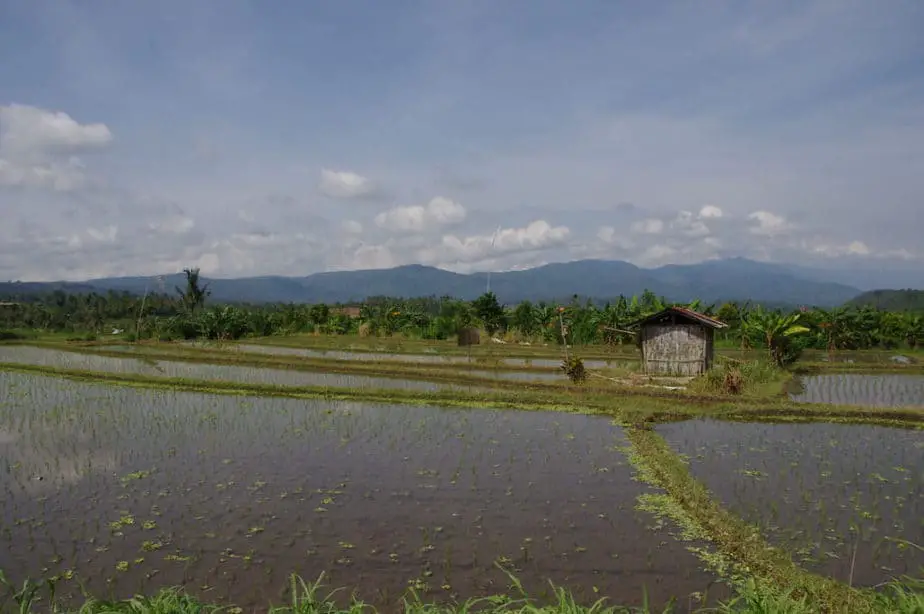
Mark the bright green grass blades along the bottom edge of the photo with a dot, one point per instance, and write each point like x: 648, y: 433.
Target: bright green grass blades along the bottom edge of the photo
x: 906, y: 597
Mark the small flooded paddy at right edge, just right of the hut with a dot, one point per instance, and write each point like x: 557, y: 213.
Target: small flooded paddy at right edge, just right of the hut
x: 885, y: 390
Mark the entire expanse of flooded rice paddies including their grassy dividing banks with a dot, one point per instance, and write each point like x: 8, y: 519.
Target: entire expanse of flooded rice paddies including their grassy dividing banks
x: 124, y: 489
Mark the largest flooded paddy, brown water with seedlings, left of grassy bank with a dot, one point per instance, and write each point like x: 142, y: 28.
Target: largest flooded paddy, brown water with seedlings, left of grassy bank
x: 227, y: 495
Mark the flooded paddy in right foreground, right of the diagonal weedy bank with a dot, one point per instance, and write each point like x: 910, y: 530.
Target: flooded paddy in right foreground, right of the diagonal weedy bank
x: 823, y: 491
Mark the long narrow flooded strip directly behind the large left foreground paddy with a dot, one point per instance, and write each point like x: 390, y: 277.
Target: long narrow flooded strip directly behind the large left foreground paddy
x: 227, y: 373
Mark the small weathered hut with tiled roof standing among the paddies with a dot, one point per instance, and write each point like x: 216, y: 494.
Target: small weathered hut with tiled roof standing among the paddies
x: 677, y: 341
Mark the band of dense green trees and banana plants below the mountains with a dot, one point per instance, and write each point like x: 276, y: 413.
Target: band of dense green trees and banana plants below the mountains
x: 186, y: 315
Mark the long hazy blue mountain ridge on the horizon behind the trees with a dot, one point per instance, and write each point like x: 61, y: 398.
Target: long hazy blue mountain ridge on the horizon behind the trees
x: 711, y: 281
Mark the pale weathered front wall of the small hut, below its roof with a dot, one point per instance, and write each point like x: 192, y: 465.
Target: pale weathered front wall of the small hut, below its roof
x: 678, y: 349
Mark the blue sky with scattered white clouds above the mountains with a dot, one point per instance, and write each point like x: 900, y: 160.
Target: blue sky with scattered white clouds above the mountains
x: 291, y: 137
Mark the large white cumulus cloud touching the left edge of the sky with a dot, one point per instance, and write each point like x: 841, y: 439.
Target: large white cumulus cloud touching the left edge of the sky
x: 39, y: 147
